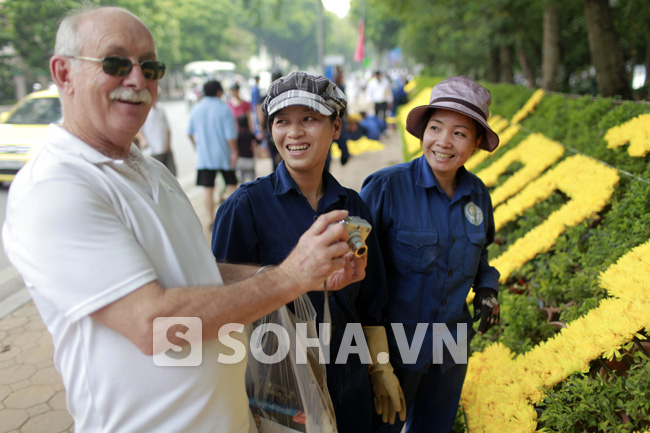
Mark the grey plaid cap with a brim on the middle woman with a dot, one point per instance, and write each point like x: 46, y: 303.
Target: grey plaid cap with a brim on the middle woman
x: 300, y: 88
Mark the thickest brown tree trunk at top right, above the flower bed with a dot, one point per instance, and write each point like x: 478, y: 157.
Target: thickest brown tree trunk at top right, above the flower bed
x: 606, y: 54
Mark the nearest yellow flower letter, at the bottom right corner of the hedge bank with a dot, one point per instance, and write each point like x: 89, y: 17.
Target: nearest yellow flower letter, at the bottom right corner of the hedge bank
x: 500, y: 390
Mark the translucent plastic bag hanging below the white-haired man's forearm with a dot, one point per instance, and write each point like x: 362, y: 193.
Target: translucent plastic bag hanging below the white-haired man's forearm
x: 286, y: 395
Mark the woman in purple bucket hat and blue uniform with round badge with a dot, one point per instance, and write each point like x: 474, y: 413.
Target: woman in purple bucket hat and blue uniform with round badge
x: 434, y: 221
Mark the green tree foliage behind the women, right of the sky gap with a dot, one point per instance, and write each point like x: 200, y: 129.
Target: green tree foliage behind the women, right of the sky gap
x: 501, y: 39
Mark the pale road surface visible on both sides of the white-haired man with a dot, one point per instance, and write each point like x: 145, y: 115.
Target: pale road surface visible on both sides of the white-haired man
x: 13, y: 293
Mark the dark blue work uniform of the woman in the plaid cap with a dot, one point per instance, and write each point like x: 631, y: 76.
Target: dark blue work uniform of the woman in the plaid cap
x: 261, y: 223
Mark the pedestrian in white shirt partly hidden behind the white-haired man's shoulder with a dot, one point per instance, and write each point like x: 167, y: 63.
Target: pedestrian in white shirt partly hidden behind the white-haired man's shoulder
x: 156, y: 136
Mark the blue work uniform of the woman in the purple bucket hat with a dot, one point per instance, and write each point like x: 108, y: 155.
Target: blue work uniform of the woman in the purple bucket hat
x: 435, y: 251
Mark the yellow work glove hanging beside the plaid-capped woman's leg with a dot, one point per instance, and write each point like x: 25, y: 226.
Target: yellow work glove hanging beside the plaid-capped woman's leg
x: 389, y: 398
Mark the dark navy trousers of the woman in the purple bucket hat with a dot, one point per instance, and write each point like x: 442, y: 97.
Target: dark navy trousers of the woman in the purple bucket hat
x: 431, y: 397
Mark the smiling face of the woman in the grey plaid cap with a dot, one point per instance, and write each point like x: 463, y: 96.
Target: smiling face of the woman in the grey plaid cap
x: 303, y: 137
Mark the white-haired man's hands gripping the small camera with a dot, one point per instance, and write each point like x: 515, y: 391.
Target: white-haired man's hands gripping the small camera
x: 321, y: 251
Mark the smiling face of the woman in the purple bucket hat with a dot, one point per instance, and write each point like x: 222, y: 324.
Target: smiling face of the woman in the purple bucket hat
x: 449, y: 139
